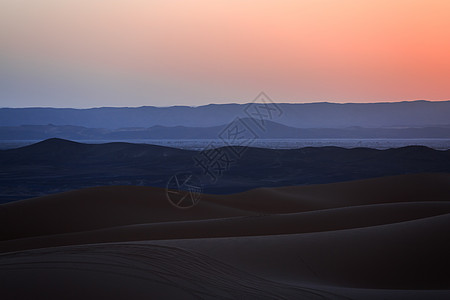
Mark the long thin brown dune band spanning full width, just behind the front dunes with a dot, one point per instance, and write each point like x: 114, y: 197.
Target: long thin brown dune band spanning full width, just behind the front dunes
x: 306, y: 222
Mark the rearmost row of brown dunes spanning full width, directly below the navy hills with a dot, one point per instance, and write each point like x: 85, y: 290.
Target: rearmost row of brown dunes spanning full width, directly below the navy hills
x: 105, y: 207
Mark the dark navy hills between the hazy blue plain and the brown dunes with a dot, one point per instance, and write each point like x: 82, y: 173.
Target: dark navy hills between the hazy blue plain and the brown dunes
x: 57, y: 165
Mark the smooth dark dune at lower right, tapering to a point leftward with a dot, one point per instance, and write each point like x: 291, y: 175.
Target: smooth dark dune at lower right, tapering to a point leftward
x: 407, y: 255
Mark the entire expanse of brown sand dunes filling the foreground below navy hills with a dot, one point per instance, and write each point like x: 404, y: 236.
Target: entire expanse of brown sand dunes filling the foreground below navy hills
x: 383, y: 238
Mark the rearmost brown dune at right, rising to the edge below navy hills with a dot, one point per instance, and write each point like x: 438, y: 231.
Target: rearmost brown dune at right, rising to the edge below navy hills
x: 390, y: 189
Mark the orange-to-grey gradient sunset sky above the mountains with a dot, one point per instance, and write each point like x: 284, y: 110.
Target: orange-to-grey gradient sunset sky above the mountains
x: 92, y: 53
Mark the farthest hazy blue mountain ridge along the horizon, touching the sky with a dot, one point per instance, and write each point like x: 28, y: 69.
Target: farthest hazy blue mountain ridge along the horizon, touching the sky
x: 306, y: 115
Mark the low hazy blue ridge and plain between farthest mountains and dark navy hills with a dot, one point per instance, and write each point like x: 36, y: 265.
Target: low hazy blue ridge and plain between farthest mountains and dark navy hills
x: 271, y: 130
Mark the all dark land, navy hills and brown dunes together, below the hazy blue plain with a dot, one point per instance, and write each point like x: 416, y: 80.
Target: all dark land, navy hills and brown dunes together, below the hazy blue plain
x: 121, y: 219
